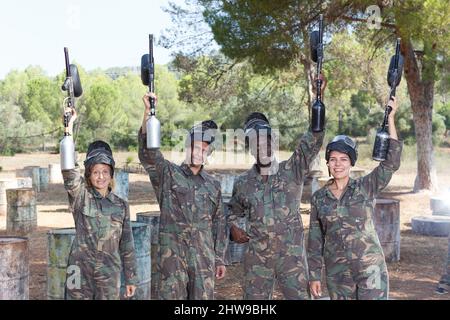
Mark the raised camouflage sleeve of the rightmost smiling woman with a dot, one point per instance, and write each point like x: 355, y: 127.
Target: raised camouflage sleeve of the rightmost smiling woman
x: 379, y: 178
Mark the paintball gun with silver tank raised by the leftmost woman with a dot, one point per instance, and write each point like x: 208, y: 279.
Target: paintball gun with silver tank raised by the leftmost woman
x: 72, y: 85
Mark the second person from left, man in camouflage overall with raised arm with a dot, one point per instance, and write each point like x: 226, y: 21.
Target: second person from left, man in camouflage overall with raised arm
x: 192, y: 237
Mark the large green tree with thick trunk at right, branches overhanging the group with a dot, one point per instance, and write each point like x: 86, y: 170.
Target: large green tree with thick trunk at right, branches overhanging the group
x: 272, y: 34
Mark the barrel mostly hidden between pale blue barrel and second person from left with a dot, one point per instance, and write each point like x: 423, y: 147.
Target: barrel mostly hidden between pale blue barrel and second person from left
x: 152, y: 218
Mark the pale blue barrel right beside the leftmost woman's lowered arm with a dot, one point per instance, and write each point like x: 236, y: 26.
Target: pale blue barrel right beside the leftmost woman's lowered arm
x: 142, y: 247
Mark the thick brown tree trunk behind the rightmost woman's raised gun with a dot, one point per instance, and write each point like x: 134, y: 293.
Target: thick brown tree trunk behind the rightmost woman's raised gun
x: 421, y: 91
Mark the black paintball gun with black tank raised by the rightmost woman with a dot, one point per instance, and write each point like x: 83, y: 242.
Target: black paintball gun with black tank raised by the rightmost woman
x: 394, y: 76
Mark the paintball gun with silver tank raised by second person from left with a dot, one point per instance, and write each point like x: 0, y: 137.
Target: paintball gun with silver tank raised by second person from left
x: 153, y: 125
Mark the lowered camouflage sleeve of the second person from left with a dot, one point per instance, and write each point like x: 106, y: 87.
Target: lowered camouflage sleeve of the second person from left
x: 219, y: 232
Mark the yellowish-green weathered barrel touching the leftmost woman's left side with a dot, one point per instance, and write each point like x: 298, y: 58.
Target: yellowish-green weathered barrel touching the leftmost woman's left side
x: 59, y: 244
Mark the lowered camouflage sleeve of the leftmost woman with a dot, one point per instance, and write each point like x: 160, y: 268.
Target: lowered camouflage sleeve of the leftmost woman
x: 127, y: 252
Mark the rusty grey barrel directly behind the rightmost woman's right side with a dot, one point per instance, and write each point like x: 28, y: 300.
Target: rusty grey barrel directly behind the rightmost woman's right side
x: 387, y: 224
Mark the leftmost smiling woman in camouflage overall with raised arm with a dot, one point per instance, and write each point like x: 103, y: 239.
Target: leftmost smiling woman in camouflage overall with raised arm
x: 103, y: 245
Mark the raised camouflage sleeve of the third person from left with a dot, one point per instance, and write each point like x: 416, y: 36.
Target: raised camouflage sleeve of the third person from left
x: 307, y: 149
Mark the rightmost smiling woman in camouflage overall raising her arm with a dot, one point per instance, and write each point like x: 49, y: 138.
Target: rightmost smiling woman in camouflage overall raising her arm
x: 342, y: 236
